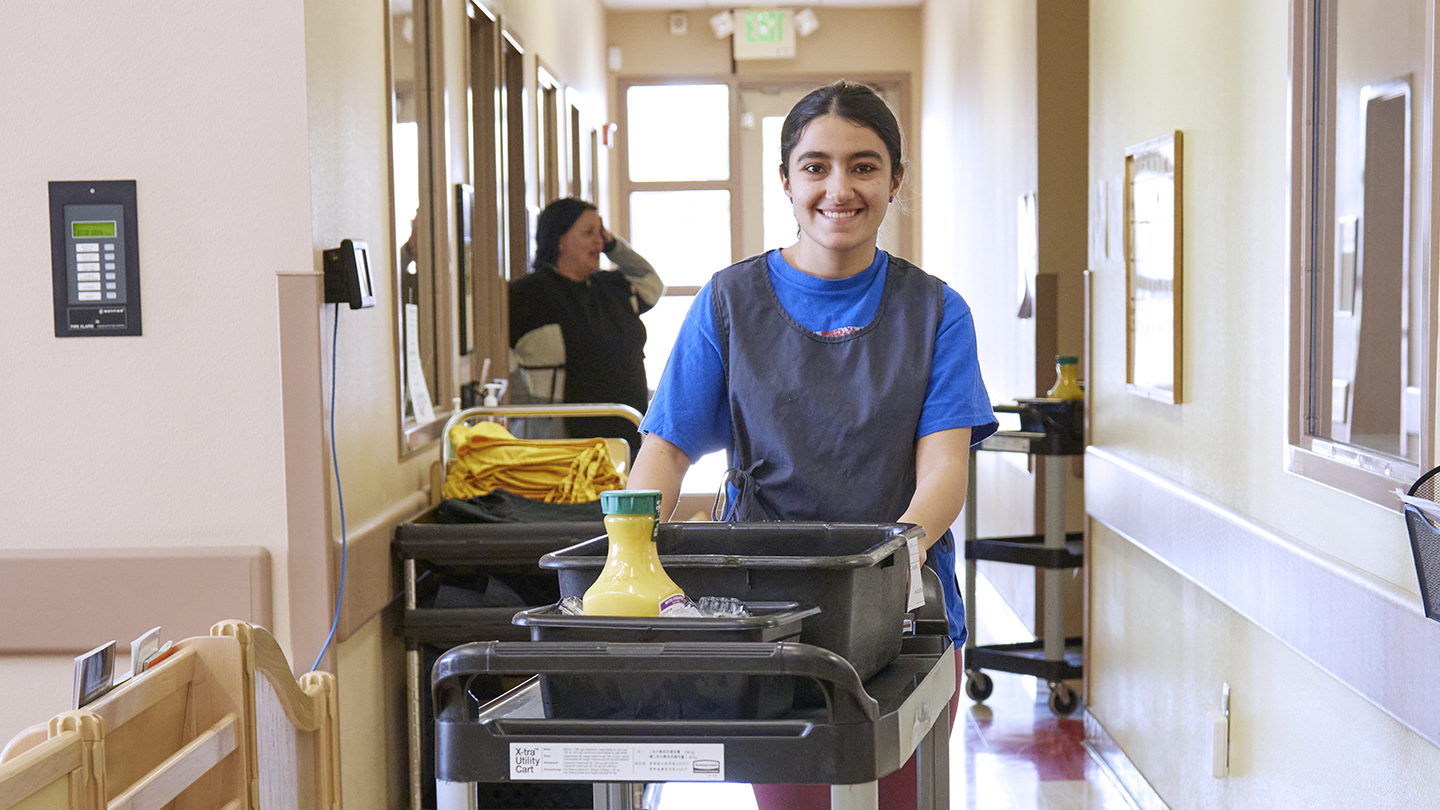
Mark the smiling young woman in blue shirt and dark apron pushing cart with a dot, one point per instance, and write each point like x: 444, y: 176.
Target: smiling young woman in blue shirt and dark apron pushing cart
x: 842, y: 381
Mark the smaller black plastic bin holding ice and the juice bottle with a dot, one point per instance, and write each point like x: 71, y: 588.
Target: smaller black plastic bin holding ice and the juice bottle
x: 702, y: 695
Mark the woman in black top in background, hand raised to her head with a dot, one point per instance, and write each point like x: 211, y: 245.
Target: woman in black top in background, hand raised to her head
x: 570, y: 316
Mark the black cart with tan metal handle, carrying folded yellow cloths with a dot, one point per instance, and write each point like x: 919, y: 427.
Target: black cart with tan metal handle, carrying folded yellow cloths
x: 431, y: 553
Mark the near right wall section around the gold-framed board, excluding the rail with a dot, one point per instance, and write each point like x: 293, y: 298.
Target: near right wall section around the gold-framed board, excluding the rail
x: 1161, y: 648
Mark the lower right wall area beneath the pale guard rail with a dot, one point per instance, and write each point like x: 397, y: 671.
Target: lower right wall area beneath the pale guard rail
x: 1160, y: 651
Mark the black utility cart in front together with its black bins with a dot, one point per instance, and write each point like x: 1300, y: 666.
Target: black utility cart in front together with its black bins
x: 711, y: 710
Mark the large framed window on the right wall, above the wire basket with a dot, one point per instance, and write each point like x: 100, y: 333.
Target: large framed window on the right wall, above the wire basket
x: 1362, y: 211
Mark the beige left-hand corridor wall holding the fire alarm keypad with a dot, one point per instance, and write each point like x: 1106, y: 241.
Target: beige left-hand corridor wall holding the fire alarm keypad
x: 257, y: 138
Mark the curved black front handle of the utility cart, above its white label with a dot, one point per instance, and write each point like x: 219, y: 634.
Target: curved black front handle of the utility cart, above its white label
x: 845, y: 694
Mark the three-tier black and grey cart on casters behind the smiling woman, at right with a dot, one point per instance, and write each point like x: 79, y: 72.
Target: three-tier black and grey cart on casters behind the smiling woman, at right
x: 1050, y: 429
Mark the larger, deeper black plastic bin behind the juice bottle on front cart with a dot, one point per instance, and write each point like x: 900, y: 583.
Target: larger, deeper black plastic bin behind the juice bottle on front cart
x: 855, y: 573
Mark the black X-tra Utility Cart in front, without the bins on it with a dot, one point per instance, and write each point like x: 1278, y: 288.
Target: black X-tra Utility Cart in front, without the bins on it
x: 856, y: 736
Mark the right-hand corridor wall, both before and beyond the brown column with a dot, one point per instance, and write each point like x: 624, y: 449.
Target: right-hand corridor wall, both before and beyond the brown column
x: 1161, y: 642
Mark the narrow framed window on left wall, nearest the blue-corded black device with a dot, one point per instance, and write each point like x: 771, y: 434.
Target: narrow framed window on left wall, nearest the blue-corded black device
x: 410, y: 153
